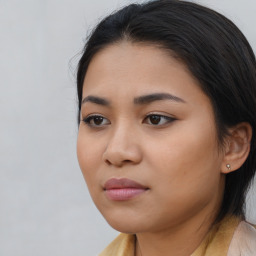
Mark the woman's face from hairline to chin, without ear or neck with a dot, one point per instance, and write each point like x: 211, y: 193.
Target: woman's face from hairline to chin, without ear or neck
x: 147, y: 142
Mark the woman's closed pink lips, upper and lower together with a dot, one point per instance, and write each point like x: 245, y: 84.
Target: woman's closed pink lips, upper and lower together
x: 123, y: 189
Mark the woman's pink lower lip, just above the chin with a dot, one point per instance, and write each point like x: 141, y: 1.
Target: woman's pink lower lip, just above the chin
x: 123, y: 194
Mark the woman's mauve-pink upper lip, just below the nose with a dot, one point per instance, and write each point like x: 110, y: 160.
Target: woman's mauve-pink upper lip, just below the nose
x: 119, y: 183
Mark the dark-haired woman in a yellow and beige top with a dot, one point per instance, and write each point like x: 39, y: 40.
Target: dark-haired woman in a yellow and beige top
x: 166, y: 143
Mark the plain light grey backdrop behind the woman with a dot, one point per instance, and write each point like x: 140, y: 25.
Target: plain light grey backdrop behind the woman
x: 45, y: 205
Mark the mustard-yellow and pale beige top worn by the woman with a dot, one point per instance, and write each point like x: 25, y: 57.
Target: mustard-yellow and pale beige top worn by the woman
x: 231, y: 237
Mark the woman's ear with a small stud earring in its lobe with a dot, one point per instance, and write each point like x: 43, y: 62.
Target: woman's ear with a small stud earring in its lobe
x: 237, y: 147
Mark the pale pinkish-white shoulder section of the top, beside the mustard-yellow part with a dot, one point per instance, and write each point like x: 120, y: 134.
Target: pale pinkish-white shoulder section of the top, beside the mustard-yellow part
x: 243, y: 242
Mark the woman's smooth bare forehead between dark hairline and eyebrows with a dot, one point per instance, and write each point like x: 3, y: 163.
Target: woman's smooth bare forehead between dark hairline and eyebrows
x: 131, y: 68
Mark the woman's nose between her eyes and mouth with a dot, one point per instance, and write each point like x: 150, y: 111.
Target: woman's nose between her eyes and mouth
x: 123, y: 148
